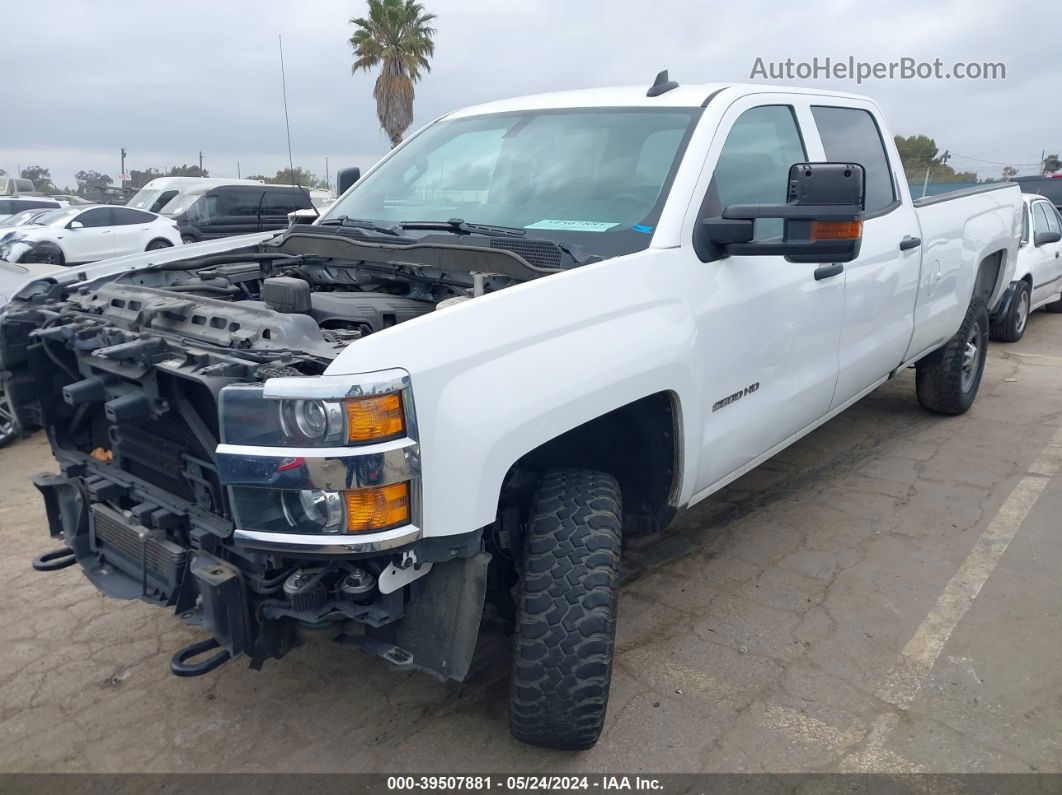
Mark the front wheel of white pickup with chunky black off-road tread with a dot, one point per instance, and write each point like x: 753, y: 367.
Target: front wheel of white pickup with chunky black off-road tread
x: 567, y: 614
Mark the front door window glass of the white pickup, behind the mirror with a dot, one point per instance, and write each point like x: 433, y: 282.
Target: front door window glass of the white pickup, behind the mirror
x: 753, y: 166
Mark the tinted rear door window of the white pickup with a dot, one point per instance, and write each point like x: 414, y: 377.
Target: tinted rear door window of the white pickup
x: 851, y: 135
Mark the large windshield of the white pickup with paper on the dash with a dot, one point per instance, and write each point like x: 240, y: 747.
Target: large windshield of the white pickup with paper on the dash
x: 594, y: 179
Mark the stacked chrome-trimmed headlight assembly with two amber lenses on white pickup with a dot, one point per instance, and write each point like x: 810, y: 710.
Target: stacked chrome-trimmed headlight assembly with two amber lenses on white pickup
x: 309, y: 457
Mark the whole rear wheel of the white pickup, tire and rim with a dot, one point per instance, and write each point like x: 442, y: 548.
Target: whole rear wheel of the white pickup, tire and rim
x: 947, y: 381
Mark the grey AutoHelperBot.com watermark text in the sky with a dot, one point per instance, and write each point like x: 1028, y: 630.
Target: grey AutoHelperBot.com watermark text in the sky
x: 851, y: 68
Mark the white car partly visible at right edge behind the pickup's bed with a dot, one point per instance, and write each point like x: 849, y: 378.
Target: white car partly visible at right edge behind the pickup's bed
x: 1038, y: 273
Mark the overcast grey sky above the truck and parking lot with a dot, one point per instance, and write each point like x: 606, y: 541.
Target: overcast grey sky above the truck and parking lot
x: 167, y: 80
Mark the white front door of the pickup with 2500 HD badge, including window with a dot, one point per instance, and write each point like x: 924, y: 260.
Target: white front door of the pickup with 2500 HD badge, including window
x: 769, y: 330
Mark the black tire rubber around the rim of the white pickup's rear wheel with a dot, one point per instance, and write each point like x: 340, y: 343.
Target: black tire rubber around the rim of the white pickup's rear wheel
x: 938, y: 381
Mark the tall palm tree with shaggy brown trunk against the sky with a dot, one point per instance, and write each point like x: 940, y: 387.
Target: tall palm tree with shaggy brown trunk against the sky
x: 398, y: 37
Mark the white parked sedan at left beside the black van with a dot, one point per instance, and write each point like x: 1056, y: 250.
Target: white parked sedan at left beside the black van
x: 78, y: 235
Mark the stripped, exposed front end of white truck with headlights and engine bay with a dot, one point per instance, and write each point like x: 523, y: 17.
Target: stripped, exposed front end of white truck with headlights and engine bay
x: 208, y: 463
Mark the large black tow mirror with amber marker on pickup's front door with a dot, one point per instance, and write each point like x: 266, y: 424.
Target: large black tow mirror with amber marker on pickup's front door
x: 823, y: 219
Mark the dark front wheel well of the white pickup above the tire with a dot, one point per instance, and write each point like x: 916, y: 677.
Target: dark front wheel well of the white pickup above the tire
x: 638, y: 444
